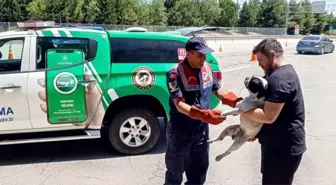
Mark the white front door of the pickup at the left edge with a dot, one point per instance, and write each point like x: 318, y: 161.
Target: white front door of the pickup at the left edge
x: 14, y: 63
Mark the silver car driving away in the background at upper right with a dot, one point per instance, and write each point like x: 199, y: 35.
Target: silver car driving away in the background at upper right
x: 315, y: 44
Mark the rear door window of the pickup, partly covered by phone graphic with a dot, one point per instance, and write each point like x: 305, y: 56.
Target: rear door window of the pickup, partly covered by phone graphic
x: 46, y: 43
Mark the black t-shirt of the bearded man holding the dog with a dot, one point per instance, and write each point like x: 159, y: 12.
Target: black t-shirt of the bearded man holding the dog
x: 287, y: 134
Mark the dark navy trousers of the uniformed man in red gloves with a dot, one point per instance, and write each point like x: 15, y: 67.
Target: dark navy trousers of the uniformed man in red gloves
x: 189, y: 153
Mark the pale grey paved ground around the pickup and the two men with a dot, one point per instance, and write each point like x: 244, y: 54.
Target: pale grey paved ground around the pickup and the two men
x: 91, y: 162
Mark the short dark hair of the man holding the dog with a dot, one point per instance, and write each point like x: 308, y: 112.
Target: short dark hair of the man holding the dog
x: 268, y: 45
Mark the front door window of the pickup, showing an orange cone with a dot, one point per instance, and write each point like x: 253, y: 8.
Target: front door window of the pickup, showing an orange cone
x: 10, y: 55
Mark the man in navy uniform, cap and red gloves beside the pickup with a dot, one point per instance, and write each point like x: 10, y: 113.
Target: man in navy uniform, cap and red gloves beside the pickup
x: 191, y: 84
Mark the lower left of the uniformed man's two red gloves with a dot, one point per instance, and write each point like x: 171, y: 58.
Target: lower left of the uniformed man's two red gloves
x: 209, y: 116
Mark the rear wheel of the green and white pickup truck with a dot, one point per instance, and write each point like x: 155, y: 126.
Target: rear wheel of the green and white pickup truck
x: 137, y: 114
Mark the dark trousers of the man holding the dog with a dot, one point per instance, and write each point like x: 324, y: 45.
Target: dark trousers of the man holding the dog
x: 277, y: 168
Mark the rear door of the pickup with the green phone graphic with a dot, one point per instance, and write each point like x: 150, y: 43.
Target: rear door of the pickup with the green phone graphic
x: 54, y: 98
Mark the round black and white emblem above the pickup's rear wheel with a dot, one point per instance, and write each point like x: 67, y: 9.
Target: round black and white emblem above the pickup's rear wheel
x: 143, y: 78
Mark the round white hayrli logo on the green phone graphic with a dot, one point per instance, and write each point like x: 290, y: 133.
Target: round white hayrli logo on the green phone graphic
x: 65, y: 83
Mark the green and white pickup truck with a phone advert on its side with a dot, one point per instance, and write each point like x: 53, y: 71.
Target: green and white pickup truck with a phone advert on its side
x: 69, y: 83
